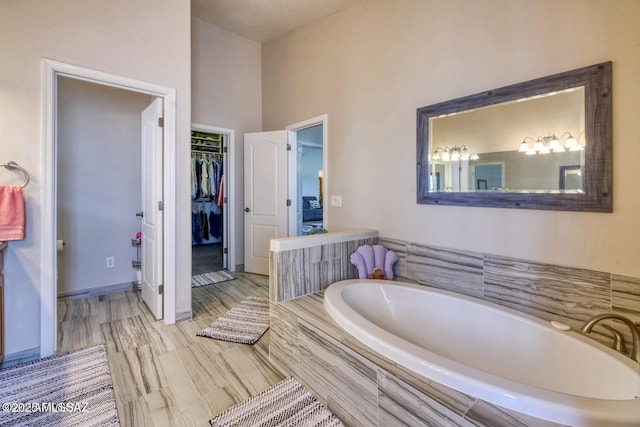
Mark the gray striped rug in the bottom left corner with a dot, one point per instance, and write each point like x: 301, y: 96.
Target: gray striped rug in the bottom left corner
x: 69, y: 389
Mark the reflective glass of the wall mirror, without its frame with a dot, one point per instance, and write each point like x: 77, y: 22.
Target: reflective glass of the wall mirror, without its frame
x: 533, y: 144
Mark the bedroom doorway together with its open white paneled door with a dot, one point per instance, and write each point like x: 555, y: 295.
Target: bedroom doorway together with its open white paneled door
x: 273, y: 190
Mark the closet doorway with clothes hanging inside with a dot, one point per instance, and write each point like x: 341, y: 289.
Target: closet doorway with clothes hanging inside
x: 209, y: 200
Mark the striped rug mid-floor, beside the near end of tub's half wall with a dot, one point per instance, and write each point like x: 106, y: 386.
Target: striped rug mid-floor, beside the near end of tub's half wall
x: 243, y: 324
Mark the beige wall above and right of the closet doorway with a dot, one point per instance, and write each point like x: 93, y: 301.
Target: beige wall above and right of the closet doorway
x: 227, y: 92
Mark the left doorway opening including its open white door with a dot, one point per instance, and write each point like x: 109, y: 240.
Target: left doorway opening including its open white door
x: 109, y: 177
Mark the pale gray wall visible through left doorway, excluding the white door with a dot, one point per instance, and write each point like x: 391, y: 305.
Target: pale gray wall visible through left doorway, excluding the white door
x: 99, y: 185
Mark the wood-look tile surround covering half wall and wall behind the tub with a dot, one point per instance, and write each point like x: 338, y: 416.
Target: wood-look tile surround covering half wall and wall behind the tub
x: 308, y: 264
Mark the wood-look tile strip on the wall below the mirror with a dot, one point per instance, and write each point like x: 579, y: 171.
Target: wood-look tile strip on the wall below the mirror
x: 547, y: 291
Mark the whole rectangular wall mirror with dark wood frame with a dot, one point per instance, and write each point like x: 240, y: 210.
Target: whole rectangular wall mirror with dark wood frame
x: 516, y: 140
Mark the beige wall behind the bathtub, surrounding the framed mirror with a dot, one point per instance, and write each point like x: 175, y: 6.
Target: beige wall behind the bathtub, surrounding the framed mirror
x: 369, y: 67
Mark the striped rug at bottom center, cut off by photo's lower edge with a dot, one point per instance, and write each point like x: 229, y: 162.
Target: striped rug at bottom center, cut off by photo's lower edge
x: 287, y: 403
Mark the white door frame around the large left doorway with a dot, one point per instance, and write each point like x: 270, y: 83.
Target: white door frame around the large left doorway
x: 48, y: 272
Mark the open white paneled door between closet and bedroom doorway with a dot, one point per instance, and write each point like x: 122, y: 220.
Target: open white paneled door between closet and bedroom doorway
x: 265, y: 196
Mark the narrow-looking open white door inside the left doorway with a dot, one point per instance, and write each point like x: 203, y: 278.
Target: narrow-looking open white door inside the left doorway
x: 151, y: 209
